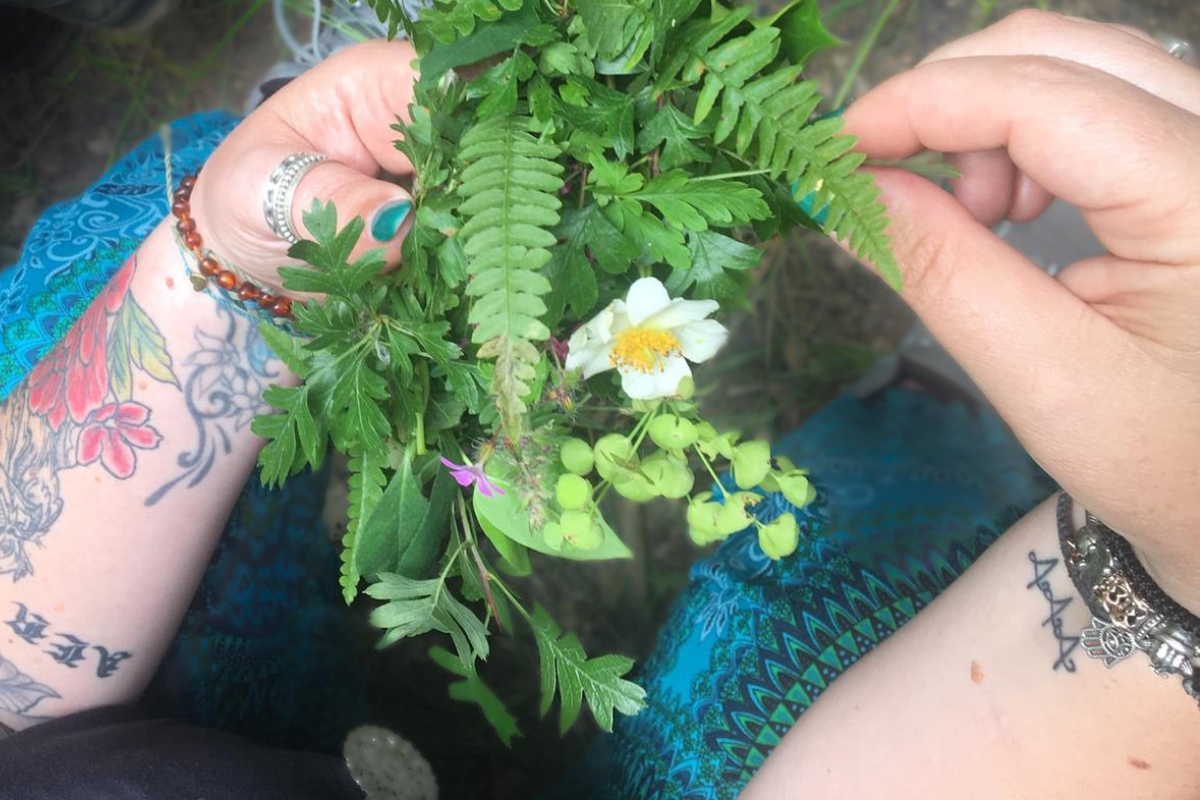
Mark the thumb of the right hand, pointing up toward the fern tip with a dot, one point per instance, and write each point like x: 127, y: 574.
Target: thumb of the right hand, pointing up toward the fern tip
x: 1015, y: 329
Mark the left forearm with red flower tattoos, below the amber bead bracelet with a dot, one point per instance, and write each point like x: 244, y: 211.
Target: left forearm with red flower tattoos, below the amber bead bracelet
x: 122, y: 456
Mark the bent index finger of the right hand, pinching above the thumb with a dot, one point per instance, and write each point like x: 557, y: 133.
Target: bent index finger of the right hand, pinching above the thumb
x: 1112, y: 167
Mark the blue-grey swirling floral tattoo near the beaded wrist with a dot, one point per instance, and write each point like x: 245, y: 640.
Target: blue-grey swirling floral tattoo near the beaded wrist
x: 224, y: 394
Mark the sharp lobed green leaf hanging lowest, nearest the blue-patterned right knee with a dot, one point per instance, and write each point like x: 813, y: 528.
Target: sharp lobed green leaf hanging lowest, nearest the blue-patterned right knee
x: 566, y: 667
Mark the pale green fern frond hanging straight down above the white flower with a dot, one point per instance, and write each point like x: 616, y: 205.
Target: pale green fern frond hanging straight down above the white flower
x: 511, y: 201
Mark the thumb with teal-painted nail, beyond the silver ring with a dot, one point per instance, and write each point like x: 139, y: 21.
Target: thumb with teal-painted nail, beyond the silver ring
x: 385, y: 208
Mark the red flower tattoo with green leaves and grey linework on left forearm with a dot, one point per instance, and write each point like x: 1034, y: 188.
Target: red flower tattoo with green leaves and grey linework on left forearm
x: 77, y: 408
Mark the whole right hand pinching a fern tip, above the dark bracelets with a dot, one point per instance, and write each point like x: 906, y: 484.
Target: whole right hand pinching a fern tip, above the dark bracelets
x: 1097, y: 370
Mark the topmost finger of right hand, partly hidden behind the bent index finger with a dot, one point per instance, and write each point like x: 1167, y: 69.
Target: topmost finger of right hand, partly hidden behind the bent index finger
x: 1123, y: 52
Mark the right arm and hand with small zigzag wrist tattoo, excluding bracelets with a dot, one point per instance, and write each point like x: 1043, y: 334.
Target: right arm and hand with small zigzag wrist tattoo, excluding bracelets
x: 988, y: 694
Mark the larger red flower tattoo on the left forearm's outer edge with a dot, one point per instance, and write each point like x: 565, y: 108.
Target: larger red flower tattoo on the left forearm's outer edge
x: 73, y: 380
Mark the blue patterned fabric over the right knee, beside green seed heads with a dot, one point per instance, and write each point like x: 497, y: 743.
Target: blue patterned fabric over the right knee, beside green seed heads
x: 911, y: 491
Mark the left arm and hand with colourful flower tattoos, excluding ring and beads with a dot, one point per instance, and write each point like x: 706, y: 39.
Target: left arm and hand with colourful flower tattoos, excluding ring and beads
x: 124, y: 450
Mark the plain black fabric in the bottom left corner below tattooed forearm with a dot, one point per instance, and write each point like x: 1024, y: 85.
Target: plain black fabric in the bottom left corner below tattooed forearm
x: 119, y: 754
